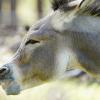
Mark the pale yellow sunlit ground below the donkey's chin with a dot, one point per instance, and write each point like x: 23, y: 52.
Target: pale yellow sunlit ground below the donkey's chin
x: 57, y: 91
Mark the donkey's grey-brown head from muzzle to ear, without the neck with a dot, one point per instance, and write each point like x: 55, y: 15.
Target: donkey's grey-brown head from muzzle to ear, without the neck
x: 46, y: 51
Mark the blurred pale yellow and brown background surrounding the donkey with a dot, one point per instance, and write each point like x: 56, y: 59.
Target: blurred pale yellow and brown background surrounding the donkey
x: 16, y: 16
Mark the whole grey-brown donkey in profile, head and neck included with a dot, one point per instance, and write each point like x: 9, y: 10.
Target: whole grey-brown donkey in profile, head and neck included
x: 68, y: 38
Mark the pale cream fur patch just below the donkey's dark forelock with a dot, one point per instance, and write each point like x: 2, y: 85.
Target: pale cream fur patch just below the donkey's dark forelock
x: 60, y: 18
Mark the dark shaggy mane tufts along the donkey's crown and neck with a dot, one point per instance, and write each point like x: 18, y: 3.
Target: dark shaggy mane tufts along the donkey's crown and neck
x: 92, y: 7
